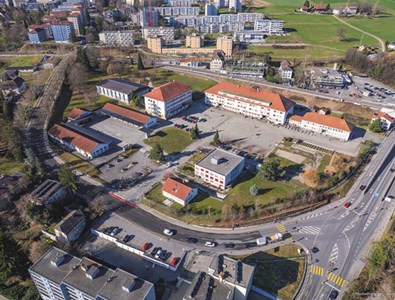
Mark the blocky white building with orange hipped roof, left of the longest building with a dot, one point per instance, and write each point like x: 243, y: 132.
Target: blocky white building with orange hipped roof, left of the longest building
x: 167, y: 100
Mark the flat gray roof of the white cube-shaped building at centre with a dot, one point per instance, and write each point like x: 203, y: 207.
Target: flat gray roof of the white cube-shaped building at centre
x: 220, y: 161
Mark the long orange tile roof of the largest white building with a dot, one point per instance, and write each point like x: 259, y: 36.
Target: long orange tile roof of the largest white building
x: 277, y: 101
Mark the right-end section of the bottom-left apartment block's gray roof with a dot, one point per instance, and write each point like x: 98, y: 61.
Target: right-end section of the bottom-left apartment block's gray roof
x: 125, y: 286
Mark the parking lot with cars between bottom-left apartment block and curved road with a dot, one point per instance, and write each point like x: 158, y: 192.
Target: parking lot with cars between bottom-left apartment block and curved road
x: 116, y: 227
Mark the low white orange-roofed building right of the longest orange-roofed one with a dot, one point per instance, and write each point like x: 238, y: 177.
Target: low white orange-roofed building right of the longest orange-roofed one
x: 324, y: 124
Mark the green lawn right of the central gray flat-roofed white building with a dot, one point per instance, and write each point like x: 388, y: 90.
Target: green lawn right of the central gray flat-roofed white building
x: 269, y: 191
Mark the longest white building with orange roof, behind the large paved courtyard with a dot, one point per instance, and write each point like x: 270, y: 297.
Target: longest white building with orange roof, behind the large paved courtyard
x: 251, y: 102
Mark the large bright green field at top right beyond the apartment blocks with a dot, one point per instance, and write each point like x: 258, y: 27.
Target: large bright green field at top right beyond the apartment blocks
x: 320, y: 31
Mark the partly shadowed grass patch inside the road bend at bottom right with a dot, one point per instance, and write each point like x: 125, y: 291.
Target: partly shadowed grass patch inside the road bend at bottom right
x: 279, y: 271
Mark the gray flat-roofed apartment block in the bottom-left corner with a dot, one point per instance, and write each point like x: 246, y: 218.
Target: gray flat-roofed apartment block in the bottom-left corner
x: 59, y: 275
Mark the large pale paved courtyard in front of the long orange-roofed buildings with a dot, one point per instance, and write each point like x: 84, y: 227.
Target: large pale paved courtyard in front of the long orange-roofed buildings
x: 260, y: 136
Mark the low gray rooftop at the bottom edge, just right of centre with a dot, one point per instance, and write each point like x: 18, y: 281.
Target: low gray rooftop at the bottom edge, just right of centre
x: 205, y: 287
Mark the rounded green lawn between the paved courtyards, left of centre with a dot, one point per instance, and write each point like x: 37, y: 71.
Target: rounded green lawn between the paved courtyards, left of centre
x: 170, y: 139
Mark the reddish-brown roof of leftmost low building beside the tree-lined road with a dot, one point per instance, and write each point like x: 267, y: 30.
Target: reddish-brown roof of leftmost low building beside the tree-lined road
x: 74, y: 138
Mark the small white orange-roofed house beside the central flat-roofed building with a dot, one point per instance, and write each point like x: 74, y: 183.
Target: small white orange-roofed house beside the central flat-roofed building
x: 179, y: 192
